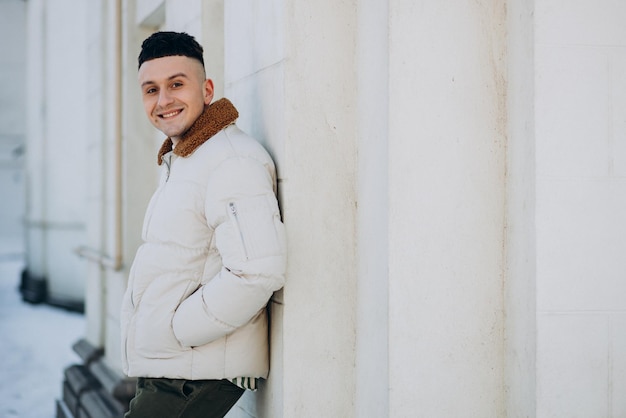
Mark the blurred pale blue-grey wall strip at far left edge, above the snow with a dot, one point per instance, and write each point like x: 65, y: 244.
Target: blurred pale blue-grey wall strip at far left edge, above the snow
x: 12, y: 126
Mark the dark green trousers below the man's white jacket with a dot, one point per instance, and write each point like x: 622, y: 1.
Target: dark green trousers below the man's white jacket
x: 177, y: 398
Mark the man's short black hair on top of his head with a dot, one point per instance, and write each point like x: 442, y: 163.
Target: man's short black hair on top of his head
x: 167, y: 44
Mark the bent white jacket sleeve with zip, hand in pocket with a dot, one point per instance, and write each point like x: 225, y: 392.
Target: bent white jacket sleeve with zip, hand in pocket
x: 242, y: 208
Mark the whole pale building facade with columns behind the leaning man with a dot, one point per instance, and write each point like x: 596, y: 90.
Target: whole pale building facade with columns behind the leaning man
x: 452, y: 176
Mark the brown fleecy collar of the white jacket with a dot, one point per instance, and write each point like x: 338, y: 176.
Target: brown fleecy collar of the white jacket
x: 215, y: 117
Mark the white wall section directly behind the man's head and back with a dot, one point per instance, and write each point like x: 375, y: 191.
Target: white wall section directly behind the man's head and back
x: 254, y: 80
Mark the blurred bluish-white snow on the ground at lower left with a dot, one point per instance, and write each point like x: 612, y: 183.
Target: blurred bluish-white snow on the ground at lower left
x: 35, y: 347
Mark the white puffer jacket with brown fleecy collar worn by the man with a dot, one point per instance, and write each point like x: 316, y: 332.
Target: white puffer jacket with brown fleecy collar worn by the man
x: 213, y: 254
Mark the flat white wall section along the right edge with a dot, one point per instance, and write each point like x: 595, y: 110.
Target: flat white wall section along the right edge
x: 581, y: 201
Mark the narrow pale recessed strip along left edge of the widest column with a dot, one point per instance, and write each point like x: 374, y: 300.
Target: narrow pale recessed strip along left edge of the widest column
x: 372, y: 326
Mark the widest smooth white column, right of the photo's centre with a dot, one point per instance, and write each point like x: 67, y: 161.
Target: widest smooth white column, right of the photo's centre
x: 447, y: 147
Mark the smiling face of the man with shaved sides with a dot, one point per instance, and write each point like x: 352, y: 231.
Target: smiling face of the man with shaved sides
x: 174, y: 92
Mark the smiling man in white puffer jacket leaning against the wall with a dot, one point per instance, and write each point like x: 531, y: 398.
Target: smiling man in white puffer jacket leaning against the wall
x: 194, y: 321
